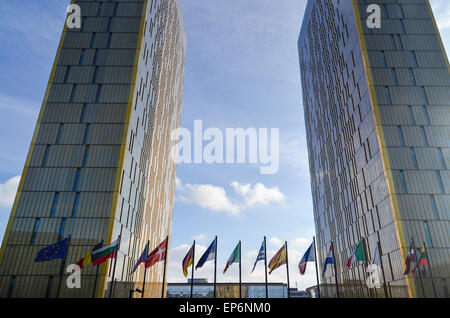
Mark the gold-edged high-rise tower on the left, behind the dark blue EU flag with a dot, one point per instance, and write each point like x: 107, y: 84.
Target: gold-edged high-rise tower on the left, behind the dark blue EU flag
x: 99, y: 166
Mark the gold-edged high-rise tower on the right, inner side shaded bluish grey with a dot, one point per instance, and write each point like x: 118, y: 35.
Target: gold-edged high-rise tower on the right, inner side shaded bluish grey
x: 376, y: 105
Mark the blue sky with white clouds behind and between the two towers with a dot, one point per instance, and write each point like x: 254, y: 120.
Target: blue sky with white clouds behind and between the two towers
x: 241, y: 71
